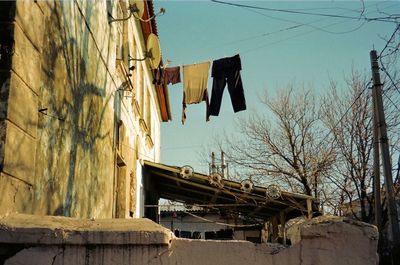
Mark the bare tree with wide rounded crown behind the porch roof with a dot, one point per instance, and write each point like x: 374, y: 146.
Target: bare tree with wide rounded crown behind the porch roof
x: 285, y: 144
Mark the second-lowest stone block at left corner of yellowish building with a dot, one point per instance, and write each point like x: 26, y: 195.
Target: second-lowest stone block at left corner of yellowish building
x: 19, y: 156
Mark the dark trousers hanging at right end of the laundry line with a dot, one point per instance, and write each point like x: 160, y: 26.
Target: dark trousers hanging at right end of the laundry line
x: 227, y: 70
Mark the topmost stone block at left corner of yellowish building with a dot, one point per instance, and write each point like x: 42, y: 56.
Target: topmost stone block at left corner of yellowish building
x: 26, y: 12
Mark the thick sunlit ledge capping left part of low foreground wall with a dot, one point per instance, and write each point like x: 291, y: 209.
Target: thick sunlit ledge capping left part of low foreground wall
x: 55, y: 230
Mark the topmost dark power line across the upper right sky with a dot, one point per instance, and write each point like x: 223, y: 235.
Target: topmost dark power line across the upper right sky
x: 362, y: 17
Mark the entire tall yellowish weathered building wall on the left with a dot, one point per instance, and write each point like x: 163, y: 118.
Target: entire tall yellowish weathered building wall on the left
x: 63, y: 101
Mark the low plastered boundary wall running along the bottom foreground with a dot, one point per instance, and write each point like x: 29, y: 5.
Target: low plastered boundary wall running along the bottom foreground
x: 60, y: 240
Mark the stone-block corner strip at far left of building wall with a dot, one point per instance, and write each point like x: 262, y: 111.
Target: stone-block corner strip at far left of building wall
x: 17, y: 141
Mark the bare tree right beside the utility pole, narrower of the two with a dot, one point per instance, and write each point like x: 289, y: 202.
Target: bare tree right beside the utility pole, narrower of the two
x: 348, y: 115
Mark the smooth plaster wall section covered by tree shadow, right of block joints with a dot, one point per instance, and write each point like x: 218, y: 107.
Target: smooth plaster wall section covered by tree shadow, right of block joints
x: 74, y: 153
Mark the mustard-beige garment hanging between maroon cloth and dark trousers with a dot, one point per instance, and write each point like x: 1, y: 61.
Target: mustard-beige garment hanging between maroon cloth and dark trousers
x: 195, y: 79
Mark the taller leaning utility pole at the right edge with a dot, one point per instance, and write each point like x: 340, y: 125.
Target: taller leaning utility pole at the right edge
x: 384, y: 146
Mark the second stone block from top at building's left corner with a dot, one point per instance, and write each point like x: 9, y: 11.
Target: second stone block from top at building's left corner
x: 26, y: 60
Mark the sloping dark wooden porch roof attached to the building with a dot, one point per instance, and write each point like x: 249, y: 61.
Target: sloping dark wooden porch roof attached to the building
x: 163, y: 181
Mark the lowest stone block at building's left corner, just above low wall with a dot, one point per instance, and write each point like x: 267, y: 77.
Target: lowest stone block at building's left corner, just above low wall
x: 16, y: 195
